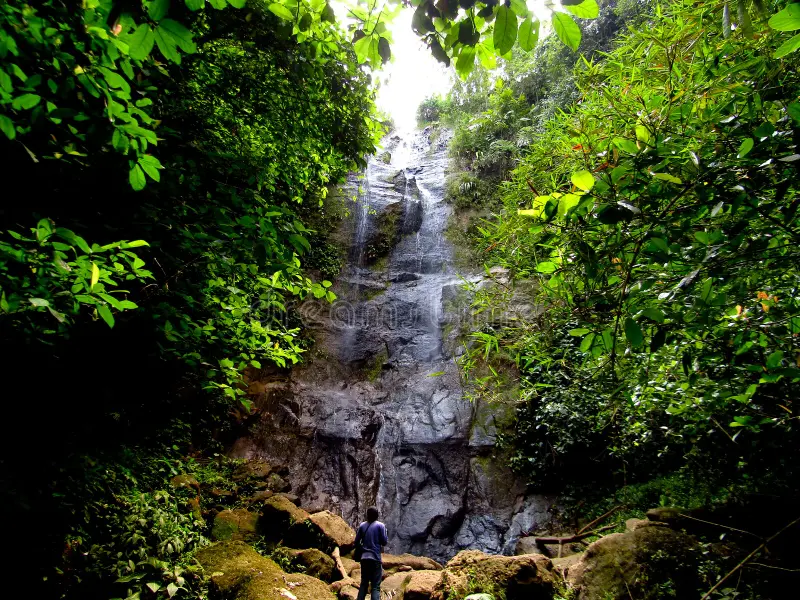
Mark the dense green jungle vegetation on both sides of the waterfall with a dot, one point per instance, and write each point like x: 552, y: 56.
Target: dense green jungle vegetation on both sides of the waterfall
x: 170, y: 168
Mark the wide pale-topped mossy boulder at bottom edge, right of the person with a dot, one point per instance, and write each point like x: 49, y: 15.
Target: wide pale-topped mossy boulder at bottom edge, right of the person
x: 526, y: 577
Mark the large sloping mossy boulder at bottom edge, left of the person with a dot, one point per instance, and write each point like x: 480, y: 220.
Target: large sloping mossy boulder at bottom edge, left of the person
x: 240, y: 573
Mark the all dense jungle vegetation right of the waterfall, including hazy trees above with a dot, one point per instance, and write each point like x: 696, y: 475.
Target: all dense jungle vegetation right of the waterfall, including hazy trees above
x: 650, y: 189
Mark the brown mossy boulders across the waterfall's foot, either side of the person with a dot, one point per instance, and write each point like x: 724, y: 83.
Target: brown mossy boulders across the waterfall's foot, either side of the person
x: 267, y: 547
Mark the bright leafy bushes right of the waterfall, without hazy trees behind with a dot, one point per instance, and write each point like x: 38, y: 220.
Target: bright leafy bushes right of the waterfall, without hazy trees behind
x: 659, y: 217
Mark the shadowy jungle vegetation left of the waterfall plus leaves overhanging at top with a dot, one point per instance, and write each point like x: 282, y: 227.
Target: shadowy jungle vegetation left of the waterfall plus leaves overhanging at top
x: 169, y: 169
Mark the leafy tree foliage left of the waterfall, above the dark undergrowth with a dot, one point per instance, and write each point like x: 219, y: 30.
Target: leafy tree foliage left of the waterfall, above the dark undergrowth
x: 242, y: 152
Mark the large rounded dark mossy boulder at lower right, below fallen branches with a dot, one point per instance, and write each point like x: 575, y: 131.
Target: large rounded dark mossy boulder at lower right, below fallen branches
x: 649, y: 562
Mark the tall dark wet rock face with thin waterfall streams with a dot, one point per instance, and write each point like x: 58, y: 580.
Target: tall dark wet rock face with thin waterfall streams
x: 376, y: 415
